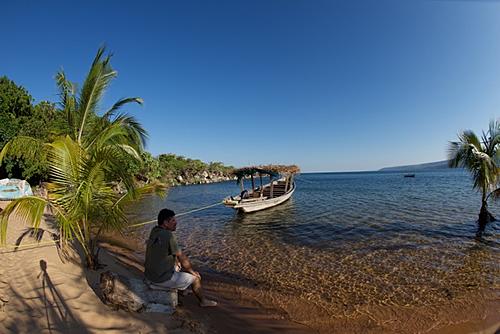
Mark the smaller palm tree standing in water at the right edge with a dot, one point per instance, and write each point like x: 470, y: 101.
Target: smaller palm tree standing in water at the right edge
x: 481, y: 158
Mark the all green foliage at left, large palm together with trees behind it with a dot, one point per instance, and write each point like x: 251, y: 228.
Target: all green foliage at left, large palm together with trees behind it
x: 84, y: 157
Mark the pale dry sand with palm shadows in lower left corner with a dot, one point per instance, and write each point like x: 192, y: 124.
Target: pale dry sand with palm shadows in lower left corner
x: 59, y: 298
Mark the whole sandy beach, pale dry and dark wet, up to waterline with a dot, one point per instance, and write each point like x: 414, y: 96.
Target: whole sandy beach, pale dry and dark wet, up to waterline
x: 40, y: 294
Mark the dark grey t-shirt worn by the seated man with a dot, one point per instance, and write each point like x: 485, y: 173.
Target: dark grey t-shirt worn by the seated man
x: 160, y: 255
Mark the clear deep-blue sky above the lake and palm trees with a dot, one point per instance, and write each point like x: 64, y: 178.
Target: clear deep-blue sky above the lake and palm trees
x: 329, y: 85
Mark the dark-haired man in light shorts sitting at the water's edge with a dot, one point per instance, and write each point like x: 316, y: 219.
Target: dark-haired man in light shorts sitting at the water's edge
x: 162, y: 256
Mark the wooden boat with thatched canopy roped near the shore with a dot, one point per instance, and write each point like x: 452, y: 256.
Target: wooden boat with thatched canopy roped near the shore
x: 279, y: 189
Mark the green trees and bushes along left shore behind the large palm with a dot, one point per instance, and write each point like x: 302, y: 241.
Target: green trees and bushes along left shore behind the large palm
x: 47, y: 121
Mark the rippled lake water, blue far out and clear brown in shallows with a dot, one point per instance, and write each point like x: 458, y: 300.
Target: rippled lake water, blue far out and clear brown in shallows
x: 346, y: 243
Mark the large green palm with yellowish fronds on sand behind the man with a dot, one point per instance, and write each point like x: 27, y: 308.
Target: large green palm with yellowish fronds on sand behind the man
x: 85, y: 162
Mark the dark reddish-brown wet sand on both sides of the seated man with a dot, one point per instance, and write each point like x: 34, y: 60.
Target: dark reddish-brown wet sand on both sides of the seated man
x: 236, y: 311
